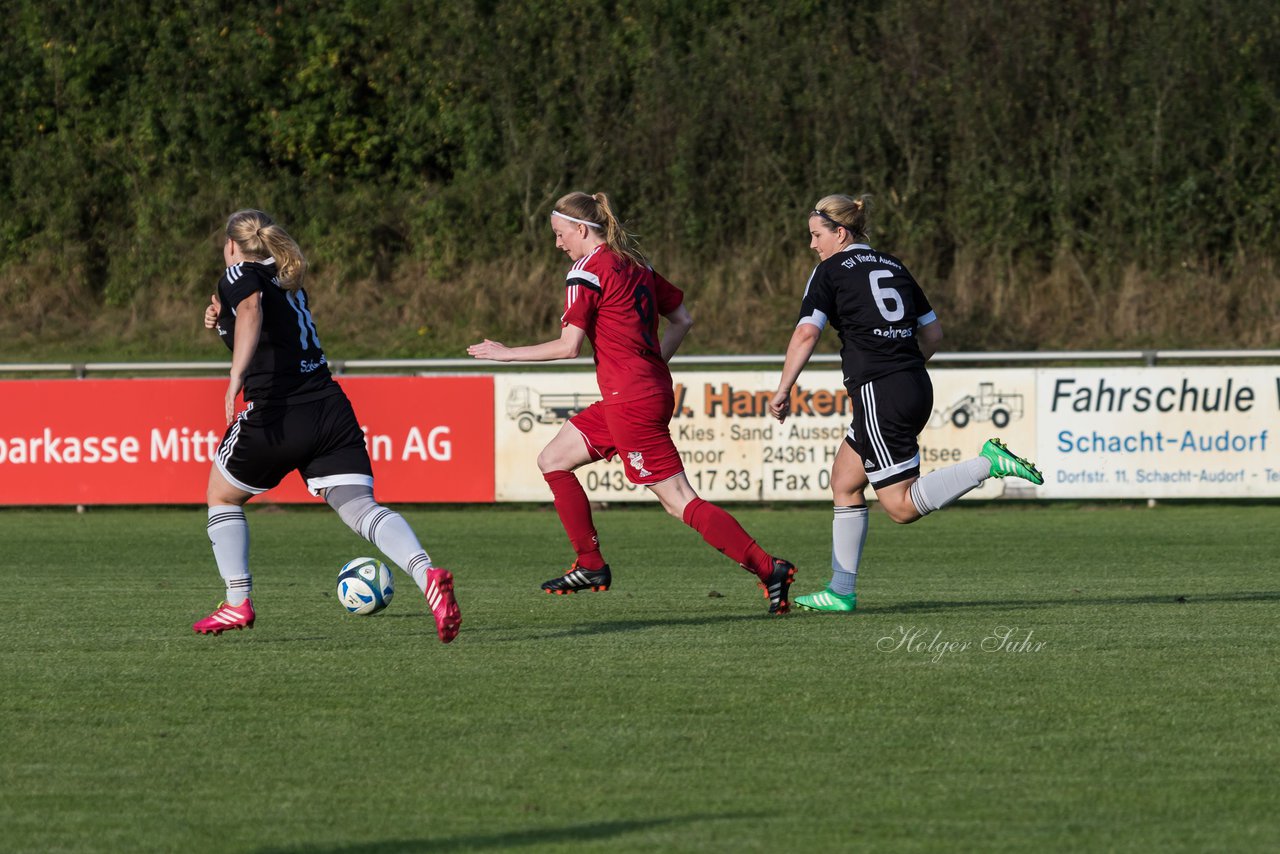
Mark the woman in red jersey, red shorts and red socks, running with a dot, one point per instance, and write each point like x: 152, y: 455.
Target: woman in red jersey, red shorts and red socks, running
x: 614, y: 299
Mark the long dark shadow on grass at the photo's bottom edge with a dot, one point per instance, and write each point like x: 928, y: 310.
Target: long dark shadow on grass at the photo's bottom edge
x: 596, y: 832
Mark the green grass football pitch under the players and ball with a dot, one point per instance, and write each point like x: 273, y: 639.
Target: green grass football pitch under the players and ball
x: 1136, y: 710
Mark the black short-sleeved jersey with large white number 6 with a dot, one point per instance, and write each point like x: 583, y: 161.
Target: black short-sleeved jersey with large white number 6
x: 876, y: 307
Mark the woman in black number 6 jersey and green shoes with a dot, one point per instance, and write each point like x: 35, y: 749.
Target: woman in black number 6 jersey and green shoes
x: 888, y: 332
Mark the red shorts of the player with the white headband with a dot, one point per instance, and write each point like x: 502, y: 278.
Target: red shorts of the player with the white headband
x: 637, y: 431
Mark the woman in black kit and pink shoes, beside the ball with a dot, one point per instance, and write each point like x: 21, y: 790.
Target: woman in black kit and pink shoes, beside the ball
x: 296, y: 418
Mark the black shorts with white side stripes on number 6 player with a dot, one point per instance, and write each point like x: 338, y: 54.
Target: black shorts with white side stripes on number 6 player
x: 889, y: 415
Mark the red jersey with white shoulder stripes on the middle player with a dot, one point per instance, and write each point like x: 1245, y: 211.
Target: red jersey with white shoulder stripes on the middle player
x: 618, y: 303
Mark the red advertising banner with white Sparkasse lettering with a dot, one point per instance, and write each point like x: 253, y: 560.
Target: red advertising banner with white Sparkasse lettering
x: 152, y: 441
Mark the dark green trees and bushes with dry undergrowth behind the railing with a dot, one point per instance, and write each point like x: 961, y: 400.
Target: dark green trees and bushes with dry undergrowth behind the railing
x: 1081, y: 173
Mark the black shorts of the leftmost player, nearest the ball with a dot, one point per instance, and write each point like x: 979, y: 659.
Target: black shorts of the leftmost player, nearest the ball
x: 321, y: 439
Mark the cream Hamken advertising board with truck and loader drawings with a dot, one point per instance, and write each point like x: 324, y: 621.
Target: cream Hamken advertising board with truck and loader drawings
x: 734, y: 451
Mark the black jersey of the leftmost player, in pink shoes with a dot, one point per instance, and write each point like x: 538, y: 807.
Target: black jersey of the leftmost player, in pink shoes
x: 289, y: 364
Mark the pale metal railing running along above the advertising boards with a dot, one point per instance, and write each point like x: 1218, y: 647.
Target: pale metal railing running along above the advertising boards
x: 1148, y: 358
